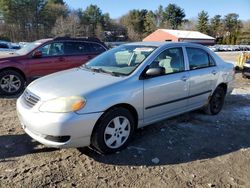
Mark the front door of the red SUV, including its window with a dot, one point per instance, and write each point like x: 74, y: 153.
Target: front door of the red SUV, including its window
x: 52, y: 60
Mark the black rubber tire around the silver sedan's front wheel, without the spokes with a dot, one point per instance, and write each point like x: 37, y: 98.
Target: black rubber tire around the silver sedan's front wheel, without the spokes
x: 98, y: 136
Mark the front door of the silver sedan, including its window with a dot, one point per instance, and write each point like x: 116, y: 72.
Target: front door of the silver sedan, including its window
x: 166, y: 95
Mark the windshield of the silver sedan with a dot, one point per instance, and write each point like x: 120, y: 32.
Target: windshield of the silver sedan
x: 122, y: 60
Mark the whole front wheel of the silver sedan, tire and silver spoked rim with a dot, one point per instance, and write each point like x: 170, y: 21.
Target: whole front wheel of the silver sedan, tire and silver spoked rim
x: 113, y: 131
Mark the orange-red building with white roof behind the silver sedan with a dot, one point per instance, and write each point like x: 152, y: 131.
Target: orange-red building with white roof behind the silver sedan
x: 161, y: 35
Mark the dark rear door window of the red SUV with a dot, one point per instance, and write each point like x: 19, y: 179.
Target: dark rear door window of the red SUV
x: 76, y: 48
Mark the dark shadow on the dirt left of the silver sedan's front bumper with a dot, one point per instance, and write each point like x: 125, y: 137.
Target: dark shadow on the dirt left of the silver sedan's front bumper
x: 19, y: 145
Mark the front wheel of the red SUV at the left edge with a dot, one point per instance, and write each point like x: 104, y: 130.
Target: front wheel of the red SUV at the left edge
x: 17, y: 79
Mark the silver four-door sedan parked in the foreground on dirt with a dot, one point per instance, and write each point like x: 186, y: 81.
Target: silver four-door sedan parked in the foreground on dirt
x: 101, y: 103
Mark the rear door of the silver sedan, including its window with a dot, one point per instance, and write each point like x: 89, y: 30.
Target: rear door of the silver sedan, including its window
x: 203, y: 76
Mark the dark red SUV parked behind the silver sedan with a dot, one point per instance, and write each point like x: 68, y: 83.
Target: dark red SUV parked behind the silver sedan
x: 44, y: 57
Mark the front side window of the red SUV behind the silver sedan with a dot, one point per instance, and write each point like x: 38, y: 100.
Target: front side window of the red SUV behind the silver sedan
x: 52, y: 49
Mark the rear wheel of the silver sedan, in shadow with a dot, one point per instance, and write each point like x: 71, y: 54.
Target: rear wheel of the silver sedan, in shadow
x: 216, y: 102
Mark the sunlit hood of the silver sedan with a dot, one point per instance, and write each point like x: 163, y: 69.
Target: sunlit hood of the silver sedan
x: 73, y: 82
